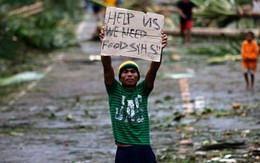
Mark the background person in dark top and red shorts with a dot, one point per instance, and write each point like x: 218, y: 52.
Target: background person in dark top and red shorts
x: 185, y: 10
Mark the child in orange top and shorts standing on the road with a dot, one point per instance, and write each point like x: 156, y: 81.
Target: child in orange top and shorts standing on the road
x: 249, y: 51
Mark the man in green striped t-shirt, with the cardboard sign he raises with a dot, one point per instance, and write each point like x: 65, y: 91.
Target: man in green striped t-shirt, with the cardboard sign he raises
x: 128, y: 99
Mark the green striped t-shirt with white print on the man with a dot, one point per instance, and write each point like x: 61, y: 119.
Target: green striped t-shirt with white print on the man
x: 129, y: 114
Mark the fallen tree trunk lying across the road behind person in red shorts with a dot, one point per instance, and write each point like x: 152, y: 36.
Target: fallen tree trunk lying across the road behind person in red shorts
x: 228, y: 32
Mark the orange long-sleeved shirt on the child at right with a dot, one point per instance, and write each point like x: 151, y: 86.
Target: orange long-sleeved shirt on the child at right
x: 249, y: 50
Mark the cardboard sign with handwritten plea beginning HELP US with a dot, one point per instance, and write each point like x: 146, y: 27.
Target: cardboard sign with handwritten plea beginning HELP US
x: 132, y: 34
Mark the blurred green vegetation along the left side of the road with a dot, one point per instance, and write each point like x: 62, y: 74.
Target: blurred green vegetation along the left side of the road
x: 27, y: 36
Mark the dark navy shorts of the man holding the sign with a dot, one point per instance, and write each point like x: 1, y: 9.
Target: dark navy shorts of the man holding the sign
x: 135, y: 154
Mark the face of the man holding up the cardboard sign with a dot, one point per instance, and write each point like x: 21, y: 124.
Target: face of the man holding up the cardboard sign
x: 129, y: 77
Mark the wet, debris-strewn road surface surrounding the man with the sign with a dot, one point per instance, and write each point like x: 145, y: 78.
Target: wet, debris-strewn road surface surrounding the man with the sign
x: 65, y: 118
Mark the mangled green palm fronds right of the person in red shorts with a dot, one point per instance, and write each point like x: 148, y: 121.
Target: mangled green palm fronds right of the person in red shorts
x: 222, y: 13
